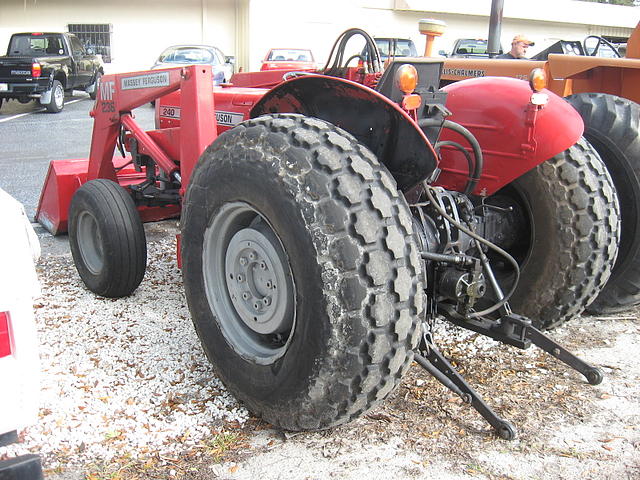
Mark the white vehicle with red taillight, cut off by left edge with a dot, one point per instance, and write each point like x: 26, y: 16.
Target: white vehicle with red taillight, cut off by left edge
x: 19, y: 366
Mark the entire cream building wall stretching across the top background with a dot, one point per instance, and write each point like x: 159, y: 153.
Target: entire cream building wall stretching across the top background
x: 248, y: 28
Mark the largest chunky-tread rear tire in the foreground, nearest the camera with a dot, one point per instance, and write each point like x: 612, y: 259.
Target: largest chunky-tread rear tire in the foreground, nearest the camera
x: 356, y: 274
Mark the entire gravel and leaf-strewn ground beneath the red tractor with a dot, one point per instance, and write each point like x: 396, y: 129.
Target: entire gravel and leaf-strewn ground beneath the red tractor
x: 128, y: 393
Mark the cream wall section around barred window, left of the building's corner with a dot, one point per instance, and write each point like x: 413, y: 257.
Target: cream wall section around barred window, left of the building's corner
x: 141, y: 28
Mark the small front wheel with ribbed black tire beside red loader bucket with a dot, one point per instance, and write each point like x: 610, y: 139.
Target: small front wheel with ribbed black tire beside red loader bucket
x: 107, y: 239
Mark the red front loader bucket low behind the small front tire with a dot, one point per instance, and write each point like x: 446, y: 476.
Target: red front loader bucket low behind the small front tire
x: 66, y: 176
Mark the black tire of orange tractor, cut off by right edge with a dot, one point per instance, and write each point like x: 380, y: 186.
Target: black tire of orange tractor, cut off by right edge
x: 612, y: 126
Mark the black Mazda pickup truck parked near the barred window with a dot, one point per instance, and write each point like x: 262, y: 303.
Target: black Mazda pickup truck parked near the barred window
x: 45, y: 65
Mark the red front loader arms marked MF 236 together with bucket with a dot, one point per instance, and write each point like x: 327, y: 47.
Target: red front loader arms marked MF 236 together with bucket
x: 173, y: 154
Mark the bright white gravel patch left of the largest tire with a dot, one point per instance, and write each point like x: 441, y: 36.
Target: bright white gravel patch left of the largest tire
x: 124, y: 376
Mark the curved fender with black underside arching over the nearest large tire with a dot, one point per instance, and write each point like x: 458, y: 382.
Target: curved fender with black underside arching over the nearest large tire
x: 373, y: 119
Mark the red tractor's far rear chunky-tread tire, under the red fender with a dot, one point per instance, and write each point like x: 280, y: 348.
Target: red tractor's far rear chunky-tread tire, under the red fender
x: 572, y: 227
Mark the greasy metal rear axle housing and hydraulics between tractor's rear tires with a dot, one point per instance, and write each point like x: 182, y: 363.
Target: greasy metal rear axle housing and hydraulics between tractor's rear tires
x: 457, y: 237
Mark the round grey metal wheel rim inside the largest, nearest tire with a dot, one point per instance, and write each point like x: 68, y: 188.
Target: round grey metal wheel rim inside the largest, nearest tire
x: 248, y: 283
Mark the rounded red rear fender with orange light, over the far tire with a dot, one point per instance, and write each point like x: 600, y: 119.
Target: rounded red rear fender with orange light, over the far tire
x: 515, y: 136
